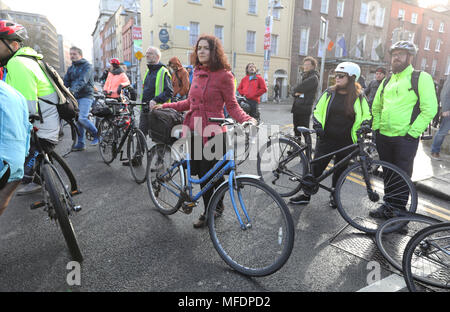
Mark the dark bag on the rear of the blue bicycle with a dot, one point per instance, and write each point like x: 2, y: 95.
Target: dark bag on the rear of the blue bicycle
x: 161, y: 122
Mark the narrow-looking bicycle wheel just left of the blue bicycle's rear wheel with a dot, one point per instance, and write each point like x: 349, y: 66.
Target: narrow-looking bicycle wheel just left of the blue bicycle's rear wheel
x: 138, y: 151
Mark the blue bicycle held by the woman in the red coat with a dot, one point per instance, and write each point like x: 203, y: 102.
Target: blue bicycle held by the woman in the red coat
x: 249, y: 223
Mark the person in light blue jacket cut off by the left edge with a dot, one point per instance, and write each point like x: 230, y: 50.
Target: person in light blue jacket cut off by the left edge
x: 14, y: 141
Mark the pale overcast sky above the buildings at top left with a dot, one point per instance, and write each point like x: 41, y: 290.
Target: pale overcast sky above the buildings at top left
x: 75, y: 20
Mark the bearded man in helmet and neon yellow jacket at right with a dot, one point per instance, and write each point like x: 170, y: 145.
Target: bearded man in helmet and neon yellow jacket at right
x: 400, y: 116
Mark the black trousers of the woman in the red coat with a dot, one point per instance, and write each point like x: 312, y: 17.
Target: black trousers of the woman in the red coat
x: 200, y: 167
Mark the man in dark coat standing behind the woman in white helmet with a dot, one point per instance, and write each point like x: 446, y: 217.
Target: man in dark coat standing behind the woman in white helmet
x: 305, y: 95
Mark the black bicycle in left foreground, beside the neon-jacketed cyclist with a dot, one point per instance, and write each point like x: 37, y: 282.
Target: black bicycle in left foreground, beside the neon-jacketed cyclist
x: 58, y: 186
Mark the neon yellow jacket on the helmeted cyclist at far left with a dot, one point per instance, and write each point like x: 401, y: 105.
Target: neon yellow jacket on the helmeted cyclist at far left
x: 27, y: 77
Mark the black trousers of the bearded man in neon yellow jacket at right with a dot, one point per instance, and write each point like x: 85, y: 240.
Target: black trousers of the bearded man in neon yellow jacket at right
x: 400, y: 152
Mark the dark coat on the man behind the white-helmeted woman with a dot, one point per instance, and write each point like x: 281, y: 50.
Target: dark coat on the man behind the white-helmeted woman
x: 308, y: 87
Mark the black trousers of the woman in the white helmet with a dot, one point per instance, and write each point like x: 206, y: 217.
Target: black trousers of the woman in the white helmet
x: 326, y: 146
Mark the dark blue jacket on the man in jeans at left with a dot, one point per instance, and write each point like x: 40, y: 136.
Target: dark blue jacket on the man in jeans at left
x: 80, y: 79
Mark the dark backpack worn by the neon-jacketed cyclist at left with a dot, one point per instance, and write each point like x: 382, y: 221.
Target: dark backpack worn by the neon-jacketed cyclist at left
x: 68, y: 104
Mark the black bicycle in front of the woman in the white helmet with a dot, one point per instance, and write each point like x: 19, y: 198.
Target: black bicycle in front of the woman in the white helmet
x: 362, y: 187
